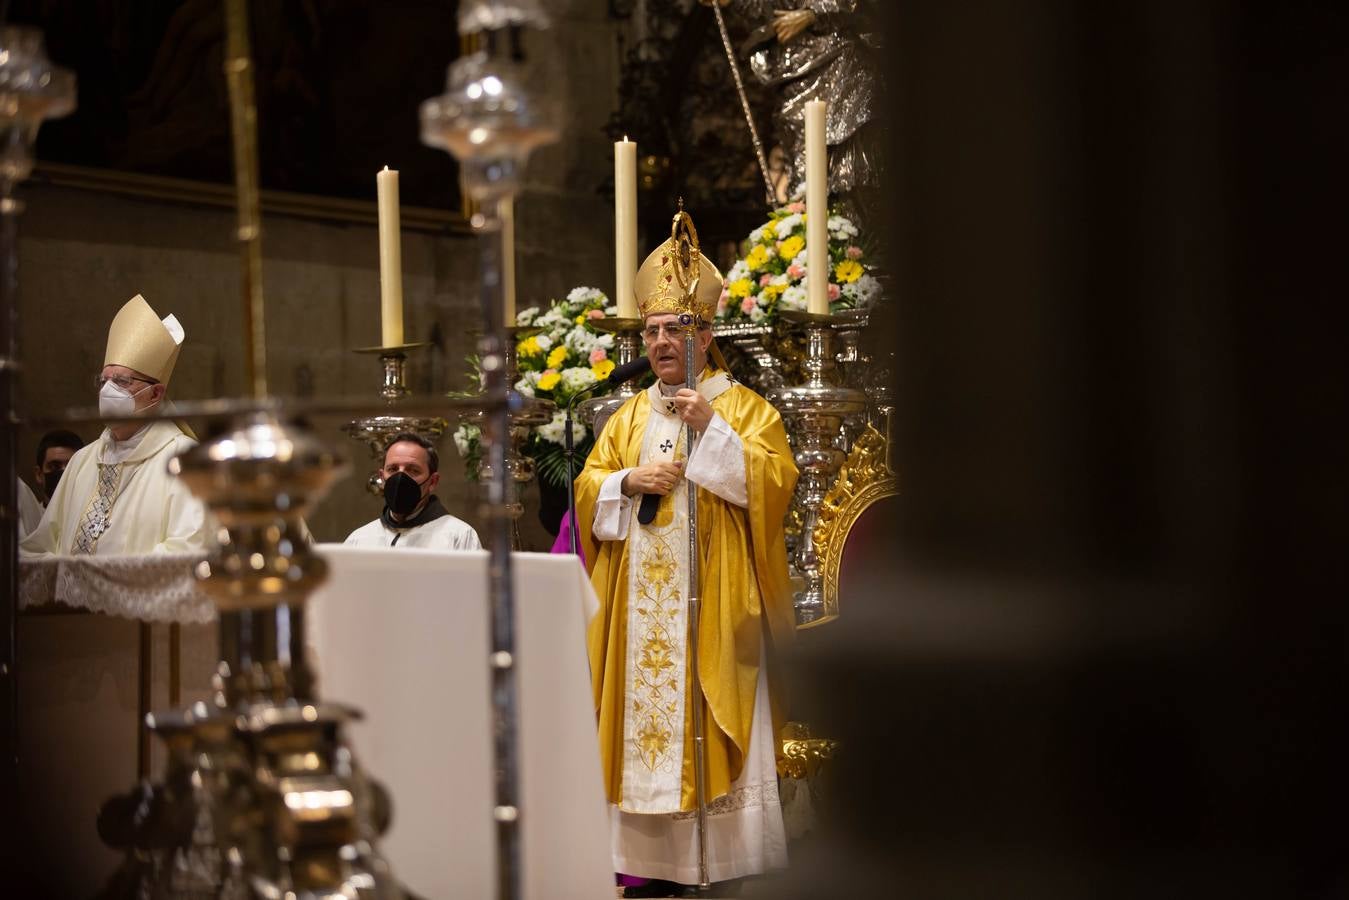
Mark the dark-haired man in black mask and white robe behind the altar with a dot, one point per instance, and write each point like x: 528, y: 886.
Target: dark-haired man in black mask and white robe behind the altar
x: 413, y: 516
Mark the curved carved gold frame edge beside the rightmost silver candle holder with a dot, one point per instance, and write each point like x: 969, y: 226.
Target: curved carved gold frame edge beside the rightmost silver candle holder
x: 864, y: 480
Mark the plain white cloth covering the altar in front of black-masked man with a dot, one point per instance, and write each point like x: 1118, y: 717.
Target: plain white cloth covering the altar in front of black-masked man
x: 404, y: 636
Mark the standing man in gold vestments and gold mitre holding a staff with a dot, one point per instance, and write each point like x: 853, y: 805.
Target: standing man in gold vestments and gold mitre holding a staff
x: 741, y: 468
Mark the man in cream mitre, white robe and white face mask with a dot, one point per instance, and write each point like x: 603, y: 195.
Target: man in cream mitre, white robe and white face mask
x: 117, y: 496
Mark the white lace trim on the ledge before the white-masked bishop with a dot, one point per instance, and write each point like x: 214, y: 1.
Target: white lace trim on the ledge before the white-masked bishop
x: 159, y: 588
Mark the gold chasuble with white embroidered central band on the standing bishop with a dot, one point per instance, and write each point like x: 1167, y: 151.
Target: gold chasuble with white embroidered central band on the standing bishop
x: 639, y: 642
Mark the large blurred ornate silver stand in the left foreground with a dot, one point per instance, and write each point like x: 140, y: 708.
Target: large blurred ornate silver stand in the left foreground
x: 291, y: 806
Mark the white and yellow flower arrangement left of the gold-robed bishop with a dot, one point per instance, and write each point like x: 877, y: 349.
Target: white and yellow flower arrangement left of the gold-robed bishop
x: 566, y: 357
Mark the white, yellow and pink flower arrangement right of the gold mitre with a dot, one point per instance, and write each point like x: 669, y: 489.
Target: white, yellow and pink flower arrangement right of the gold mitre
x: 772, y: 275
